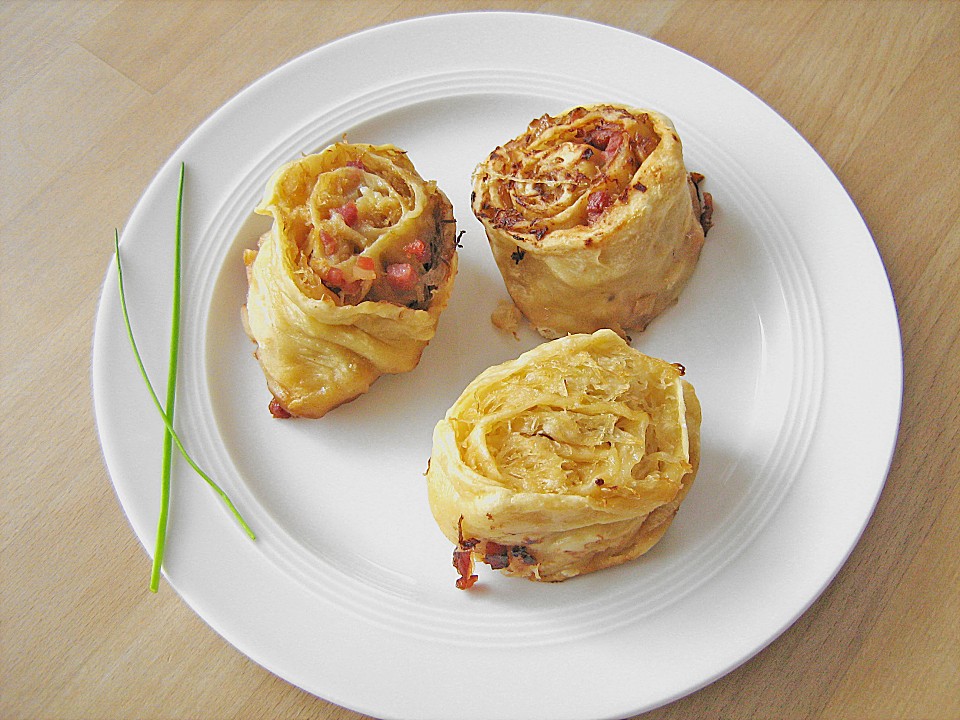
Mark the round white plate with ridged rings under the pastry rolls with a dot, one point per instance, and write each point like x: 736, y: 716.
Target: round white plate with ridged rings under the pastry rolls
x: 787, y: 330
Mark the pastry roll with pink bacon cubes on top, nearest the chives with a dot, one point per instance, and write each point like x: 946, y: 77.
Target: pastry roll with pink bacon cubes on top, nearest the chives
x: 350, y: 281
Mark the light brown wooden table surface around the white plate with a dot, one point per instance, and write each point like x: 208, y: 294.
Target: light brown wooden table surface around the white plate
x: 96, y: 95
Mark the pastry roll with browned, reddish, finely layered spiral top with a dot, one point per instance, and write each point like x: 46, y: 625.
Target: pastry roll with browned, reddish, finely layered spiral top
x: 593, y: 219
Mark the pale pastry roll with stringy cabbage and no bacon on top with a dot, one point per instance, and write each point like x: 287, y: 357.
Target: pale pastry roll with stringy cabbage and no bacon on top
x: 571, y: 458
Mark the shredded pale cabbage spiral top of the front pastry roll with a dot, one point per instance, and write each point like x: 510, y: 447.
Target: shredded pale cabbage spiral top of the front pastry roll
x: 599, y: 431
